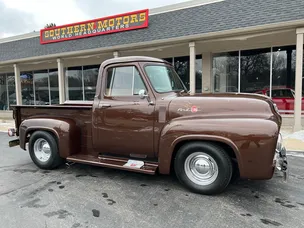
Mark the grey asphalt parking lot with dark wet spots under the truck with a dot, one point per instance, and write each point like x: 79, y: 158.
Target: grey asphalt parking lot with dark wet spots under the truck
x: 86, y: 196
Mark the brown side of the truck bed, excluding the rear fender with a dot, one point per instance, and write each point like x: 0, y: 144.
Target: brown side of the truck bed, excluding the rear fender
x: 80, y: 112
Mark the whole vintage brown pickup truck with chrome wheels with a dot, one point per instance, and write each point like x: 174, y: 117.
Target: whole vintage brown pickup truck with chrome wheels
x: 143, y: 119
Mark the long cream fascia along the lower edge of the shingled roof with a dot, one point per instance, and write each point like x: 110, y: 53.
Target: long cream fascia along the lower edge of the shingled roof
x: 260, y: 28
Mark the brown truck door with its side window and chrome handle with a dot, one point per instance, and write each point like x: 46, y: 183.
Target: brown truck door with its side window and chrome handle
x: 123, y: 123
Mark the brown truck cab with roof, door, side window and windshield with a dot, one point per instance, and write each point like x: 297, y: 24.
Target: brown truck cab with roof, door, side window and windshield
x: 126, y: 105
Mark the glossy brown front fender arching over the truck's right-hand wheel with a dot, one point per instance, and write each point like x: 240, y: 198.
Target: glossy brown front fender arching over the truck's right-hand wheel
x: 251, y: 140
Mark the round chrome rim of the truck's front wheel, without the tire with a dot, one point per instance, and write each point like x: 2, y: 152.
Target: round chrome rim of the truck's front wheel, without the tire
x: 201, y: 168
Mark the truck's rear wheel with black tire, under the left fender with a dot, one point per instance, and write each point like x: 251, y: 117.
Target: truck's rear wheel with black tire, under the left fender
x: 43, y: 150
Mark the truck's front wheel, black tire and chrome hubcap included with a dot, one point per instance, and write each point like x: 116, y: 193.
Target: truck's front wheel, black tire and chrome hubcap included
x: 203, y: 167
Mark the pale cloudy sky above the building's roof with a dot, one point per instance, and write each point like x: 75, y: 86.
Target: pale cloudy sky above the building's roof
x: 24, y: 16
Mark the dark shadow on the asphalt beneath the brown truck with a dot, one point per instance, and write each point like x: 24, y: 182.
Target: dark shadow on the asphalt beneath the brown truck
x: 167, y: 182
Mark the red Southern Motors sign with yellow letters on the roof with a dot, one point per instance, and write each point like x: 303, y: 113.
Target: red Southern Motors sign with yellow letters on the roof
x: 100, y: 26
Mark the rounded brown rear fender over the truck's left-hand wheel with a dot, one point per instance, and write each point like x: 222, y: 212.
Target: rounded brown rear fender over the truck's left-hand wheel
x: 66, y: 132
